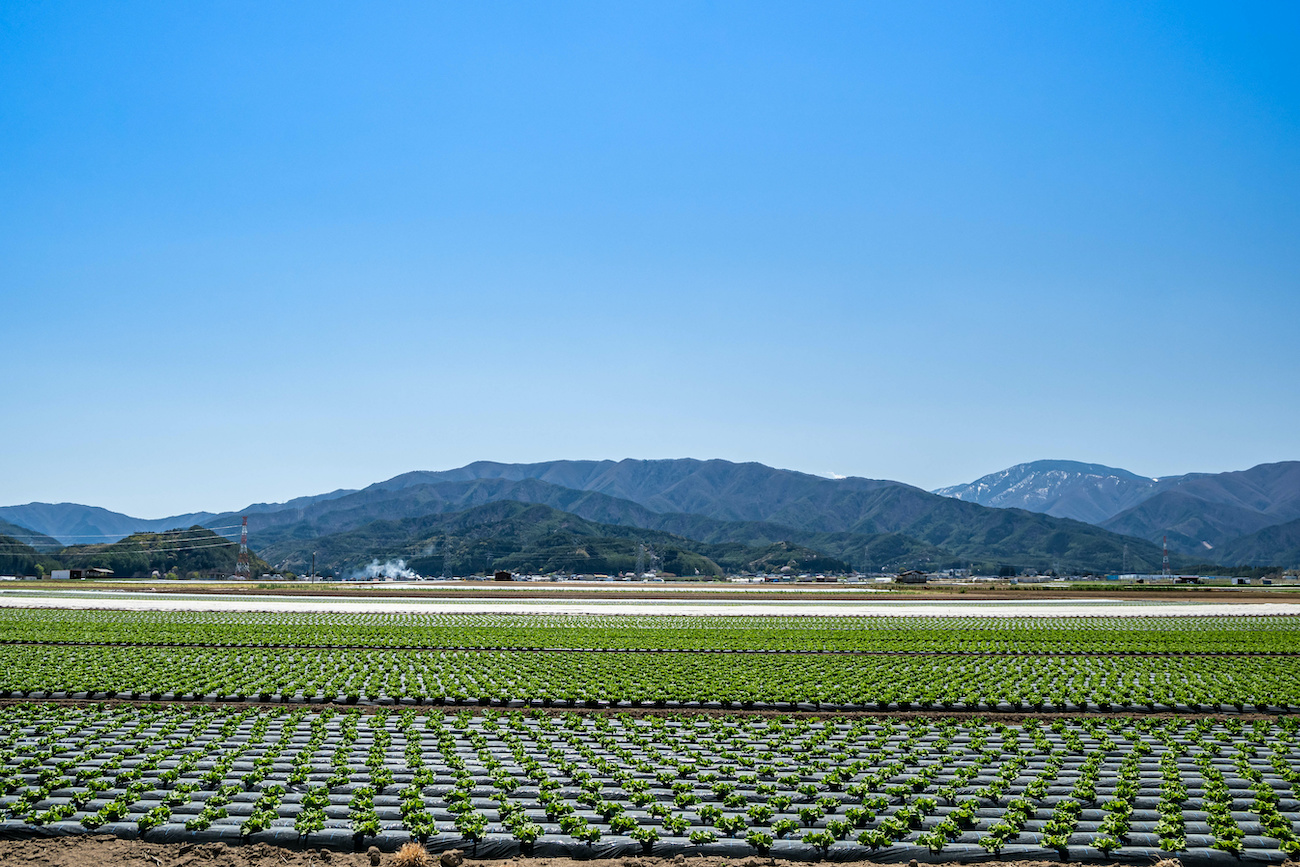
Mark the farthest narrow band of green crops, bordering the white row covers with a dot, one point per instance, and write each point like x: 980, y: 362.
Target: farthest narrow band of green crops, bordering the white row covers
x: 660, y: 632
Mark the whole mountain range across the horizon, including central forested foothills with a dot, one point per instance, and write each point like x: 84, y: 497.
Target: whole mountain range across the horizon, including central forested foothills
x: 720, y: 515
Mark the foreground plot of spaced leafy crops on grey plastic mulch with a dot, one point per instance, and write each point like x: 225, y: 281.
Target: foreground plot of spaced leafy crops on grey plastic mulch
x: 509, y: 782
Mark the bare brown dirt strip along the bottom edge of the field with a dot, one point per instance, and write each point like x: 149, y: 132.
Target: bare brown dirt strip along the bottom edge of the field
x: 111, y: 852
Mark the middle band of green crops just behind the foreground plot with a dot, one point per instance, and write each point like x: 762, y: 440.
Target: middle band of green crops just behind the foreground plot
x: 1268, y: 684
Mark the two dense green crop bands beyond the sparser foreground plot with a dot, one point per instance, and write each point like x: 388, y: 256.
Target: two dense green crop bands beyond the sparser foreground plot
x: 830, y: 664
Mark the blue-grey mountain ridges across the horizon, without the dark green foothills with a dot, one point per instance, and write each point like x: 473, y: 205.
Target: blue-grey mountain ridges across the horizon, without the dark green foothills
x: 877, y: 524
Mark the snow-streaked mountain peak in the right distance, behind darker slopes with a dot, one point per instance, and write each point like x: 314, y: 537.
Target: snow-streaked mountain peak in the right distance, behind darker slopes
x: 1061, y: 488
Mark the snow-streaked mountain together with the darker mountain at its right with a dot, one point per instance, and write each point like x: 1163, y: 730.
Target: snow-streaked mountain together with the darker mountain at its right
x: 1232, y: 518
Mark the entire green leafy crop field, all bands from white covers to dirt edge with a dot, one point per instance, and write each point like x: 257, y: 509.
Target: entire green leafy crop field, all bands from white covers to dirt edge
x: 1104, y: 738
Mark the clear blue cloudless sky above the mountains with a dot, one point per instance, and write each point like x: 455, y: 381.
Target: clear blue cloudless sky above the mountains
x: 254, y: 252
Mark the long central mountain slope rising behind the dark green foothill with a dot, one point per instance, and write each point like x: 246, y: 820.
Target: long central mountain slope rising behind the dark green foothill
x: 857, y: 521
